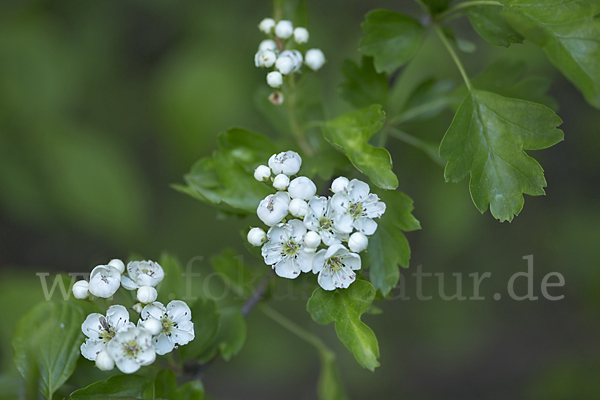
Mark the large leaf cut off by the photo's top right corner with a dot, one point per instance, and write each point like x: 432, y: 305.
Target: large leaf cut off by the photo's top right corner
x: 569, y: 35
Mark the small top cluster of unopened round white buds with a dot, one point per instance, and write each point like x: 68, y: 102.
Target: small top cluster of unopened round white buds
x: 279, y: 54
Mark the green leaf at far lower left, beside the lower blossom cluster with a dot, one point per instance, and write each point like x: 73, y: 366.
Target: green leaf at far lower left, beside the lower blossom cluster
x: 50, y: 336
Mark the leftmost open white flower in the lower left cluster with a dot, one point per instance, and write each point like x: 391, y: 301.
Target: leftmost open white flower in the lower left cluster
x: 101, y: 330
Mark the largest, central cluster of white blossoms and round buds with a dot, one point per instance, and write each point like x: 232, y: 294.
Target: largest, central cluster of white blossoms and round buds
x: 313, y: 233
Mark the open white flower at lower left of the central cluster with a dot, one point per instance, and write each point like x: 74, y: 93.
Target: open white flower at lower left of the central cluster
x: 285, y: 250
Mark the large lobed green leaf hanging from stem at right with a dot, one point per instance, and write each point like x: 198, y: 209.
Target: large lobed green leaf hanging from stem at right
x: 487, y: 139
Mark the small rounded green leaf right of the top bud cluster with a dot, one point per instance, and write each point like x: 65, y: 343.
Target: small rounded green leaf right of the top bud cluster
x: 392, y: 39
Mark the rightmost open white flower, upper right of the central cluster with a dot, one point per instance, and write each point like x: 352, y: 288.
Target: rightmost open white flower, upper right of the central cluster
x: 356, y: 208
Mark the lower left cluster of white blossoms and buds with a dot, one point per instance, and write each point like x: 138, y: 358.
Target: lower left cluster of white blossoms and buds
x: 112, y: 339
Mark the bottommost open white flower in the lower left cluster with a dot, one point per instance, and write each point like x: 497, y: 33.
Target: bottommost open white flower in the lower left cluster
x: 131, y: 349
